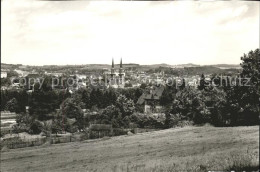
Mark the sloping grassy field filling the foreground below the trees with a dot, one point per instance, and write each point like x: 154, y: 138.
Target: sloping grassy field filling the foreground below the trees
x: 180, y: 149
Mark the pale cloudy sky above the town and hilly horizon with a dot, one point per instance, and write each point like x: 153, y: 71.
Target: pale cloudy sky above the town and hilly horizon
x: 143, y: 32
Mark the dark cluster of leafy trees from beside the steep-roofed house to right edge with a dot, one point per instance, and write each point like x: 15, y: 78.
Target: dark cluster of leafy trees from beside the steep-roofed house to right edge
x: 226, y: 104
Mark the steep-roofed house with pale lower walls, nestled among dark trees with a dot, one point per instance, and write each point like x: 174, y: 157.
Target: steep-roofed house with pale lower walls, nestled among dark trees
x: 151, y: 99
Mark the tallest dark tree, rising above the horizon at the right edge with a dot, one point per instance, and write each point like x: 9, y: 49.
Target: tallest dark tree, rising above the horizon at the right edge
x: 250, y: 98
